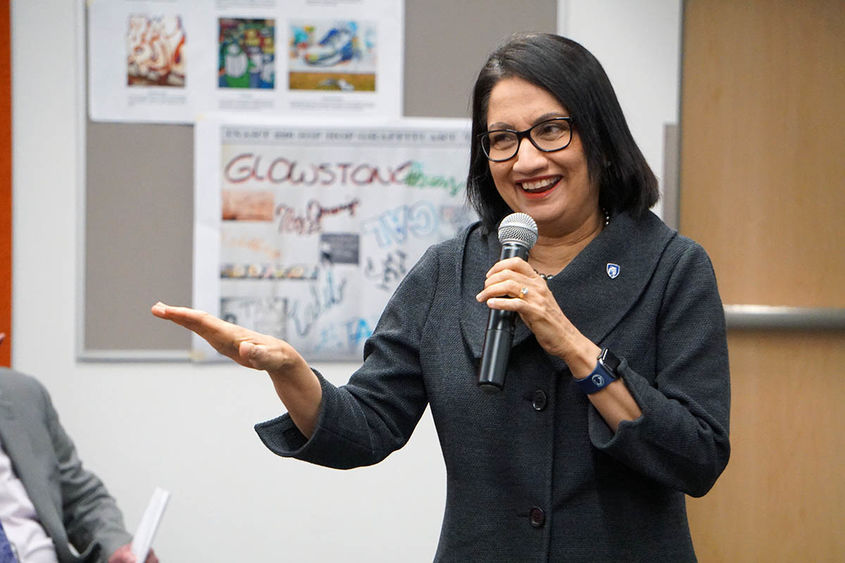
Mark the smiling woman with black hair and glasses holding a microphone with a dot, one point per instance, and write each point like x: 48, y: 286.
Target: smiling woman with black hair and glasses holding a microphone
x: 617, y: 397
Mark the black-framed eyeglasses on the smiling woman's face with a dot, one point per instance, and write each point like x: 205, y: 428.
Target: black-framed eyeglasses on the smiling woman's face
x: 548, y: 136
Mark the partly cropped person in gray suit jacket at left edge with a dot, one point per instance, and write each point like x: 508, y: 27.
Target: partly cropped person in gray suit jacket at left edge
x: 51, y: 507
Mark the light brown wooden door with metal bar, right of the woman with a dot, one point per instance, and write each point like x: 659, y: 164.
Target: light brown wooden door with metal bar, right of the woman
x: 763, y: 190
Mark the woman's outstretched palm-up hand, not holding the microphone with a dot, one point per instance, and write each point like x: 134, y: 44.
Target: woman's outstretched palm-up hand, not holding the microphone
x: 246, y: 347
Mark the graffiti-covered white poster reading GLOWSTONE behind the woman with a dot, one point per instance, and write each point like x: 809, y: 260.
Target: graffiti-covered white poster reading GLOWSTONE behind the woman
x: 304, y: 231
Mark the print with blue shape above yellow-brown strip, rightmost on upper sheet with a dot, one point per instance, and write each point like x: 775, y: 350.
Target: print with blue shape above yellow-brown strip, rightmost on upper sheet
x: 333, y: 55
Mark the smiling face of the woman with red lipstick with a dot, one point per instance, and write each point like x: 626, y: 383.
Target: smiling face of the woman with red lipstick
x: 553, y: 187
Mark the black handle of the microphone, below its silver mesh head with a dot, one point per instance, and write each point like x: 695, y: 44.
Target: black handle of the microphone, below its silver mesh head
x: 498, y: 337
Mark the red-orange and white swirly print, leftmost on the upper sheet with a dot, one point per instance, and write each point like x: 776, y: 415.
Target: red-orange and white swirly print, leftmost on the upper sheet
x: 155, y: 51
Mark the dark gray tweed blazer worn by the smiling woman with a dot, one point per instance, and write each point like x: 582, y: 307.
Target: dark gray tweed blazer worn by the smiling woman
x: 533, y: 472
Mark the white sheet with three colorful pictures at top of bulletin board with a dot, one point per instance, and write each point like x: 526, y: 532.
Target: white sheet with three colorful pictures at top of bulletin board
x: 170, y: 61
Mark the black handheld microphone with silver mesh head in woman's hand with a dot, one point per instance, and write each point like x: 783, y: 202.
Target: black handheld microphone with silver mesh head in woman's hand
x: 517, y: 233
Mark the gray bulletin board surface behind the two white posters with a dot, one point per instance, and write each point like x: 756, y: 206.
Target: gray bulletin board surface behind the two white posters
x: 139, y: 185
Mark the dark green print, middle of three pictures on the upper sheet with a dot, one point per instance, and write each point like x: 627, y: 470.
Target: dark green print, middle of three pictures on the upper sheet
x: 247, y: 53
